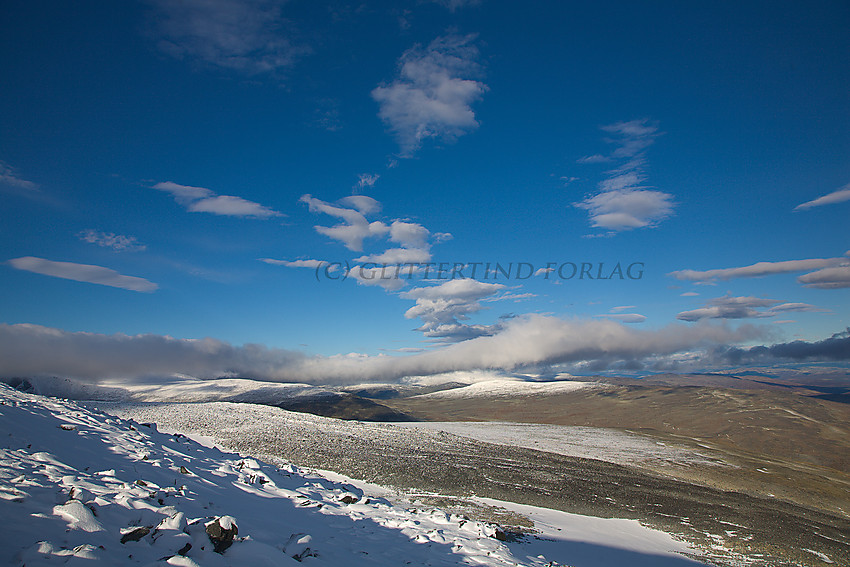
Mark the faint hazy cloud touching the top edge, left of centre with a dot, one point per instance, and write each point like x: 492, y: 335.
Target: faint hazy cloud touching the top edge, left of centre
x: 248, y: 36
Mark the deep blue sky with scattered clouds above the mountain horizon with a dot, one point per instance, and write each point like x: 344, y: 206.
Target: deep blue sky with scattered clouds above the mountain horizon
x: 172, y: 171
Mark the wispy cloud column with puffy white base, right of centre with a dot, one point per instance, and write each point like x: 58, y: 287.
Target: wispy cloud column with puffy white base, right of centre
x: 623, y: 202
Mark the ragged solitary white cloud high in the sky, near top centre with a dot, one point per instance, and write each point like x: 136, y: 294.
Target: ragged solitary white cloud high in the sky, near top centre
x: 432, y: 96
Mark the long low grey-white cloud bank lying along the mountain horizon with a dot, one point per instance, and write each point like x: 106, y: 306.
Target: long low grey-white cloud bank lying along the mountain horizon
x: 530, y: 341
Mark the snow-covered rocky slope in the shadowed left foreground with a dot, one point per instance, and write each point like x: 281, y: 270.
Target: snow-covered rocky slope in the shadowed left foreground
x: 80, y: 487
